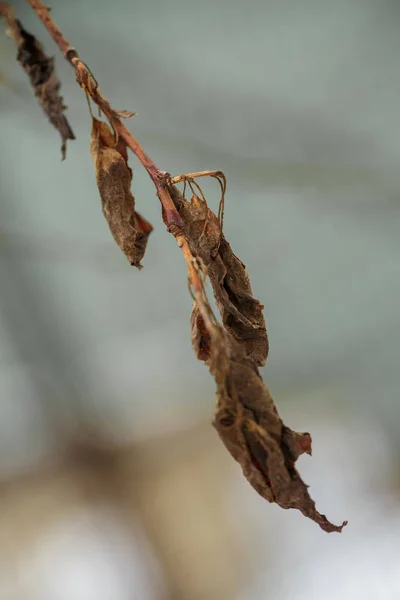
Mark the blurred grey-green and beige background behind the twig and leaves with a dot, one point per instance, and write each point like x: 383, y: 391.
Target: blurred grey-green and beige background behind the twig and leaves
x: 113, y: 484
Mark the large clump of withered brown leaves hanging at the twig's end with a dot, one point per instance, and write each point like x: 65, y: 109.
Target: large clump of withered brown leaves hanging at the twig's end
x: 246, y: 418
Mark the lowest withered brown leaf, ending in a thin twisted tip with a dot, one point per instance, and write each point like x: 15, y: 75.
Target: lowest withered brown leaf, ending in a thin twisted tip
x: 249, y: 425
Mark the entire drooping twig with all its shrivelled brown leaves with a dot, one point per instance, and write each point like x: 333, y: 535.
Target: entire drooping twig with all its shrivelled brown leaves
x: 246, y: 418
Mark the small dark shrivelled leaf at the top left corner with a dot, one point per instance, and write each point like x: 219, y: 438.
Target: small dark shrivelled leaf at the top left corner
x: 40, y: 69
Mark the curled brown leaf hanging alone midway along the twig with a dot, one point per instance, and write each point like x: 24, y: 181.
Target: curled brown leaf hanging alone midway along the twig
x: 129, y: 229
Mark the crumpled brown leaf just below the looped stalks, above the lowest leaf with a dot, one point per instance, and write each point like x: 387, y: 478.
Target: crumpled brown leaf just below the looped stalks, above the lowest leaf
x: 241, y: 313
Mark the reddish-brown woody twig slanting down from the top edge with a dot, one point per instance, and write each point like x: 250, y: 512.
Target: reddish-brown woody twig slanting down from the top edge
x: 86, y: 80
